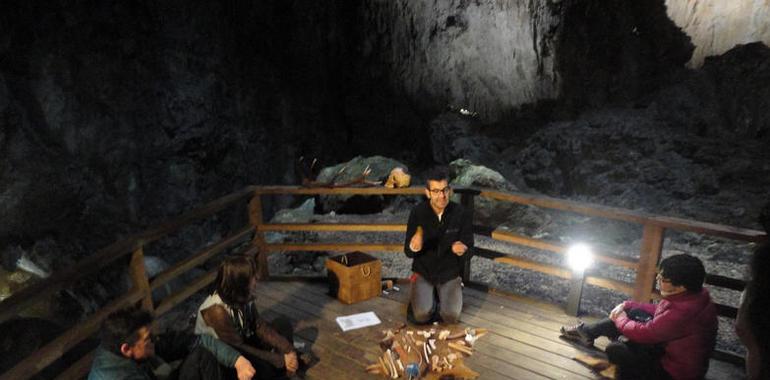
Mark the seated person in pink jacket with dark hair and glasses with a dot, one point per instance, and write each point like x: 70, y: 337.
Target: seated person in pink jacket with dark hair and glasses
x: 669, y: 340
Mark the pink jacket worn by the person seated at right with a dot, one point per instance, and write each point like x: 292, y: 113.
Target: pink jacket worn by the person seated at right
x: 686, y: 323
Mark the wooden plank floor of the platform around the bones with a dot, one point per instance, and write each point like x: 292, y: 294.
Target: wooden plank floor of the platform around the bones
x: 523, y: 342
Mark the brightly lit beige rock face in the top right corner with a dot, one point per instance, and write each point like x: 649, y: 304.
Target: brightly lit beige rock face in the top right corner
x: 716, y: 26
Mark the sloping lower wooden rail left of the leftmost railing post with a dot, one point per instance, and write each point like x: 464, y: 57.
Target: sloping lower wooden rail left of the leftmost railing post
x: 47, y: 354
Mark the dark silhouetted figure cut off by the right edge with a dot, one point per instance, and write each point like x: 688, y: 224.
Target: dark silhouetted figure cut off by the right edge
x: 753, y: 322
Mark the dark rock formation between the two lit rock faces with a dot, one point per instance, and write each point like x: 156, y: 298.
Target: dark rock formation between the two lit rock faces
x: 644, y: 50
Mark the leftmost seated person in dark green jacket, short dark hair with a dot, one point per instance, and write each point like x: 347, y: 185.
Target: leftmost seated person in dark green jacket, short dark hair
x: 127, y: 348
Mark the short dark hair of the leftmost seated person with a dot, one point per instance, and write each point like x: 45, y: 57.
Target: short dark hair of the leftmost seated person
x: 123, y: 326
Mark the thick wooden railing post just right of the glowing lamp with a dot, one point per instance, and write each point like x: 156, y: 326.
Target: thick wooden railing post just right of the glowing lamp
x: 649, y: 256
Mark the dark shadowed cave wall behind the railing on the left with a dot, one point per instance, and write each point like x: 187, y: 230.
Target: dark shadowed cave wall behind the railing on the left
x: 118, y: 115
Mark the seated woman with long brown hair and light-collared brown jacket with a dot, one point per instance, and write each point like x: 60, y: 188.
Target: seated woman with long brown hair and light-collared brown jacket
x: 230, y: 314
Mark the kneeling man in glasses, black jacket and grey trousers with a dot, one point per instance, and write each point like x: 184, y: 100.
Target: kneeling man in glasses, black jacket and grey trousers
x: 439, y: 239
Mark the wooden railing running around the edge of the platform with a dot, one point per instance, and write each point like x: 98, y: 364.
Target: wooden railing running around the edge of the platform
x: 653, y: 231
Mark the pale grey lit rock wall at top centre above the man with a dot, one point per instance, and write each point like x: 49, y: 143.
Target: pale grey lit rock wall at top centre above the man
x: 485, y: 56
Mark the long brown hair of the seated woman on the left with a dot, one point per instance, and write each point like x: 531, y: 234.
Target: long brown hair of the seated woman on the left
x: 233, y: 278
